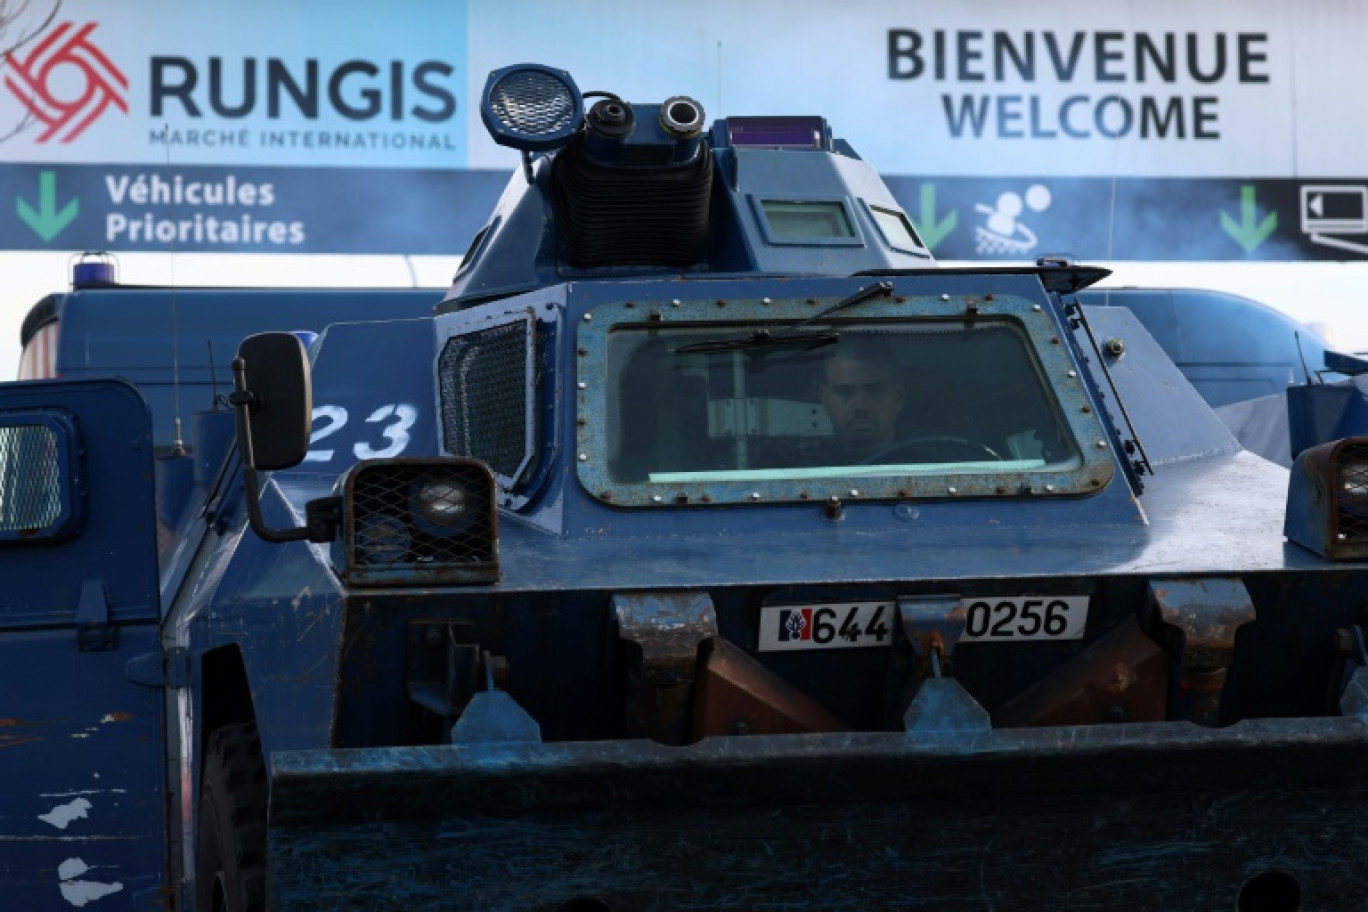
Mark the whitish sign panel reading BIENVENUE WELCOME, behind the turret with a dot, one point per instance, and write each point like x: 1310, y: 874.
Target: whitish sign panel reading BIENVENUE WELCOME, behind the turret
x: 794, y: 57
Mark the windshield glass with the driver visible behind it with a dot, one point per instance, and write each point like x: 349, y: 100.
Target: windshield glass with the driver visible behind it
x: 932, y: 397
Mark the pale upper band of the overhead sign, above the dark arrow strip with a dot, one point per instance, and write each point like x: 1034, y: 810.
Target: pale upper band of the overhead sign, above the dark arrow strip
x: 1298, y: 114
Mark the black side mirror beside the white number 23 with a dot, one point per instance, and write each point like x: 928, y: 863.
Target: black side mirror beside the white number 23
x: 274, y: 397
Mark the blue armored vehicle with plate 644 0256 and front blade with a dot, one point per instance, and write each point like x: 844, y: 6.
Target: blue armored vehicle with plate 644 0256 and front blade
x: 707, y: 548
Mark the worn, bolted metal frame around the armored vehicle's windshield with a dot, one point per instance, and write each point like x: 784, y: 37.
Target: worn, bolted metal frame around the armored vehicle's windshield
x: 1061, y: 382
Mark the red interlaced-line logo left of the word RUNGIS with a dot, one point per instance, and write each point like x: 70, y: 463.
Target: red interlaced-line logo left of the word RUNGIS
x: 66, y: 83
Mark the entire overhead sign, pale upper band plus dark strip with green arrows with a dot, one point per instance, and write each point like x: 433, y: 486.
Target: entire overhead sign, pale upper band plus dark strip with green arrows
x: 1220, y: 131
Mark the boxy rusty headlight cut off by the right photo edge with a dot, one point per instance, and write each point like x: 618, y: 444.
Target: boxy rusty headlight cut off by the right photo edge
x: 1328, y: 500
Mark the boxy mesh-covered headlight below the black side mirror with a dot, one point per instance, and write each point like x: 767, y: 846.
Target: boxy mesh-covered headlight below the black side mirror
x: 421, y: 523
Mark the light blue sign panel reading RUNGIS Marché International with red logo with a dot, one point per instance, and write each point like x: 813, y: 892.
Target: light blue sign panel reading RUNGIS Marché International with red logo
x: 248, y: 84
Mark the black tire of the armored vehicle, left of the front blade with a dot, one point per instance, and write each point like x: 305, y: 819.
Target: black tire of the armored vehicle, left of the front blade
x: 231, y: 837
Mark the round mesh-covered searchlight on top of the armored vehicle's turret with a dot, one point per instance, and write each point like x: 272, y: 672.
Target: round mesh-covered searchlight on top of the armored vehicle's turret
x: 531, y: 107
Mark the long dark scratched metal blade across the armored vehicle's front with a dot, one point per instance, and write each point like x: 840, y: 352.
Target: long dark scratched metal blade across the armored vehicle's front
x: 1129, y: 817
